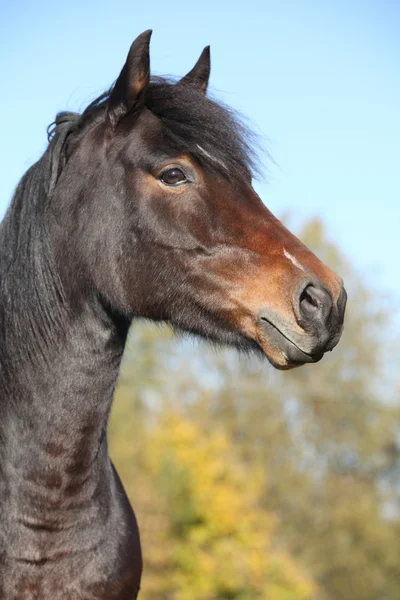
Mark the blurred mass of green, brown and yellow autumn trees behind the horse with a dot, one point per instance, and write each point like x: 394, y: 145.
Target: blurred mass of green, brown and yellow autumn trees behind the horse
x: 319, y: 446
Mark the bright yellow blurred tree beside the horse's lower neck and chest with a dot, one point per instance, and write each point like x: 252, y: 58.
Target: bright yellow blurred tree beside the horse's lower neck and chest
x: 205, y: 534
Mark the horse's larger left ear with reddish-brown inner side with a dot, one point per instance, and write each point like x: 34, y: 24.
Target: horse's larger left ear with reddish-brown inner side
x: 130, y: 88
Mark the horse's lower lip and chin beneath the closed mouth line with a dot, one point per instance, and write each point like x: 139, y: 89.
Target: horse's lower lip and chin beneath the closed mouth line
x: 290, y: 354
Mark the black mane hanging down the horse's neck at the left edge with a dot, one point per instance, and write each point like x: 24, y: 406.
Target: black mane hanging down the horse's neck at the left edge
x: 31, y: 295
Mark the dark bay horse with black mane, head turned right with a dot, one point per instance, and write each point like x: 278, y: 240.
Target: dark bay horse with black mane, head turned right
x: 141, y: 206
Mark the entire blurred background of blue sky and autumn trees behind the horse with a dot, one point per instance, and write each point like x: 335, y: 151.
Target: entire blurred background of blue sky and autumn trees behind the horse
x: 248, y: 483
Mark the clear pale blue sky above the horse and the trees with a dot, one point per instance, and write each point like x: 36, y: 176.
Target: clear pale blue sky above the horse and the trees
x: 321, y: 79
